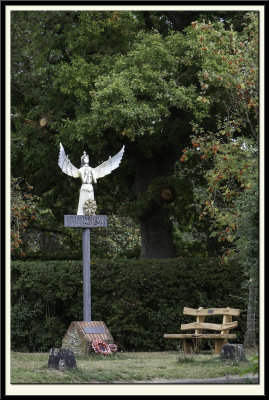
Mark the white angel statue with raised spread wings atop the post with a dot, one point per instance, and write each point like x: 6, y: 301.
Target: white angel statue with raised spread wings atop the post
x: 87, y: 174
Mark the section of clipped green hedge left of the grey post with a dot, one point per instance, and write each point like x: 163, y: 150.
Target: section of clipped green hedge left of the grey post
x: 42, y: 302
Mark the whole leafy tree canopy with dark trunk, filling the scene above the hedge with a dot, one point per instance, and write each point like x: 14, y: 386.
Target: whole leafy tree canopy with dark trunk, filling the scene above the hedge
x: 178, y: 89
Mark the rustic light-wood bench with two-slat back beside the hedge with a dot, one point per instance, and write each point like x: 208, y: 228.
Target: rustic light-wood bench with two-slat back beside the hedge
x: 191, y: 341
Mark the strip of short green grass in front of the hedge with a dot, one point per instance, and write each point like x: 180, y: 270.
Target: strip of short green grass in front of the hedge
x: 126, y: 367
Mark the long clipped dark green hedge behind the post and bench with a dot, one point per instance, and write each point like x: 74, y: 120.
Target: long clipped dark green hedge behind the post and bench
x: 139, y: 300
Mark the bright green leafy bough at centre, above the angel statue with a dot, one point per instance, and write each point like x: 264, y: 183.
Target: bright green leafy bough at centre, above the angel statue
x: 138, y: 94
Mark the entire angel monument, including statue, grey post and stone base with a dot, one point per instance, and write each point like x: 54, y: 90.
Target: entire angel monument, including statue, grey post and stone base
x: 81, y: 333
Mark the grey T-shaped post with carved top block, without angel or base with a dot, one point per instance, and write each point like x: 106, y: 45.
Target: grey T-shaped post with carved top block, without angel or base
x: 86, y: 222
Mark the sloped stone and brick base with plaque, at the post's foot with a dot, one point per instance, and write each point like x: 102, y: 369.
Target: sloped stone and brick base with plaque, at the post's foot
x: 81, y: 334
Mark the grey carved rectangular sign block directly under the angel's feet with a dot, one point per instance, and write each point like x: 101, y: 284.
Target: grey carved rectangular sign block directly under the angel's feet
x: 85, y: 221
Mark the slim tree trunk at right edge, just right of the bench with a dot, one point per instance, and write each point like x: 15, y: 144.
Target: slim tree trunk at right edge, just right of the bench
x: 250, y: 337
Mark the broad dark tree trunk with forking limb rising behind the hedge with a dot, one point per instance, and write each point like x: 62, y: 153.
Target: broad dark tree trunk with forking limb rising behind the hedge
x: 153, y: 186
